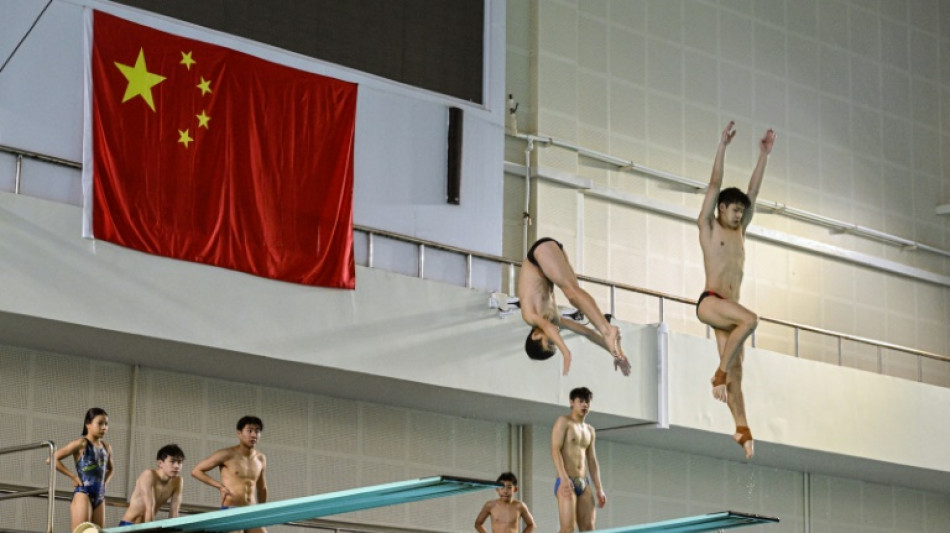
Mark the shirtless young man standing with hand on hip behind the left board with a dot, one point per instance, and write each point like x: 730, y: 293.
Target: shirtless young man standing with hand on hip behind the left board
x: 242, y: 469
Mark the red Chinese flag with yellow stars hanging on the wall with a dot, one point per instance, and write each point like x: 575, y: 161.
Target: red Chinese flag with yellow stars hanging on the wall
x: 210, y: 155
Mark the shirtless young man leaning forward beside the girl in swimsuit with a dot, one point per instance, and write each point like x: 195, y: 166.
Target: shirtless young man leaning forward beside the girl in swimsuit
x: 155, y: 487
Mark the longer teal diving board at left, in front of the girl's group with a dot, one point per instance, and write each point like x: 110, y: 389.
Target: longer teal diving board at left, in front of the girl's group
x: 283, y: 511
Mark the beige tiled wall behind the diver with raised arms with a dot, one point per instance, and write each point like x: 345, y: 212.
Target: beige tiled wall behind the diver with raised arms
x: 859, y: 93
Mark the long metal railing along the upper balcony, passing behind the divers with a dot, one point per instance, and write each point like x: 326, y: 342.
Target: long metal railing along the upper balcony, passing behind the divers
x: 423, y: 245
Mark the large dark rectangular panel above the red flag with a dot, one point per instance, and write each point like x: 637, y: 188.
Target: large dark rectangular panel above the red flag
x: 431, y: 44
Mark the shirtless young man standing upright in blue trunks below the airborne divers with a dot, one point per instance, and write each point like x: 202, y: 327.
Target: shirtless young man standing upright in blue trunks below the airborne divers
x: 572, y: 449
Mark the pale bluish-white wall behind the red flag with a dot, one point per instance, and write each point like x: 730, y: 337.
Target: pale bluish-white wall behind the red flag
x: 400, y: 147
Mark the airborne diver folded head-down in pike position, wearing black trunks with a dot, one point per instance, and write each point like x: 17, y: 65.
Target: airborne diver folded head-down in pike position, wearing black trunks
x: 545, y: 267
